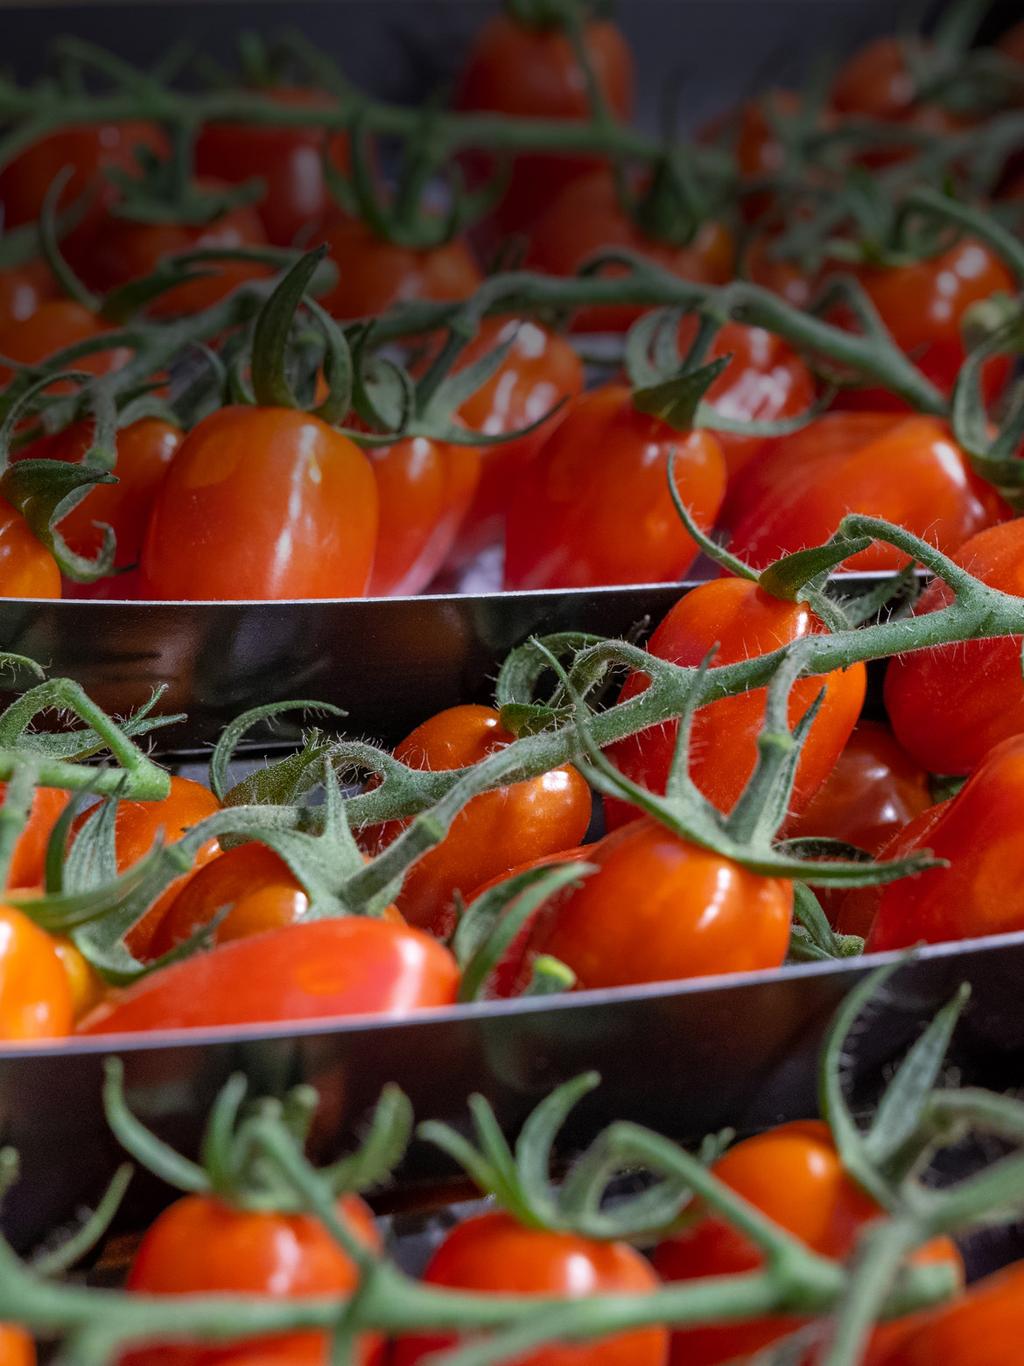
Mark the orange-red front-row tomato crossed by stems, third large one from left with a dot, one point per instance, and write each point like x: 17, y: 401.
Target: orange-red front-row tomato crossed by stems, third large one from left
x: 794, y: 1175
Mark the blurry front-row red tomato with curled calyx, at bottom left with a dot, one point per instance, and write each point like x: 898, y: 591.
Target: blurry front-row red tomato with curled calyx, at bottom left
x: 201, y: 1245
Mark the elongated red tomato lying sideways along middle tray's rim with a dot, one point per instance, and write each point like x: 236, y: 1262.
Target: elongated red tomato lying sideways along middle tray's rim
x: 315, y: 971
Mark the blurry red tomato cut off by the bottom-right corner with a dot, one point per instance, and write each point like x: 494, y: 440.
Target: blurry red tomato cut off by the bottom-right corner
x: 984, y: 1328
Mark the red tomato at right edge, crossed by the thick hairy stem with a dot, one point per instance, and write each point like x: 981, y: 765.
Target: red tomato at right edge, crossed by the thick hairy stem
x: 952, y: 704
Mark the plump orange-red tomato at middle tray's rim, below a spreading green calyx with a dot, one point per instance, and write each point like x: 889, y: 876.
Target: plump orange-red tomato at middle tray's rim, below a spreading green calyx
x: 660, y: 909
